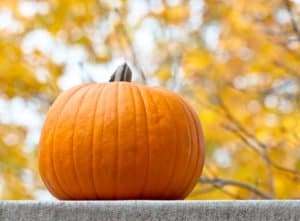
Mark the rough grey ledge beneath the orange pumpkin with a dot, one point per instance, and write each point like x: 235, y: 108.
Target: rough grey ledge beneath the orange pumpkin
x: 149, y: 210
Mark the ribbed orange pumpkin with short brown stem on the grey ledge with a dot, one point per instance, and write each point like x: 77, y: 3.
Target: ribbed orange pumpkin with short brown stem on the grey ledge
x: 120, y: 140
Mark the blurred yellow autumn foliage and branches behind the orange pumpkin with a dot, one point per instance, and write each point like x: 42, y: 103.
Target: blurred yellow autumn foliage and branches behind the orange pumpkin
x: 236, y: 61
